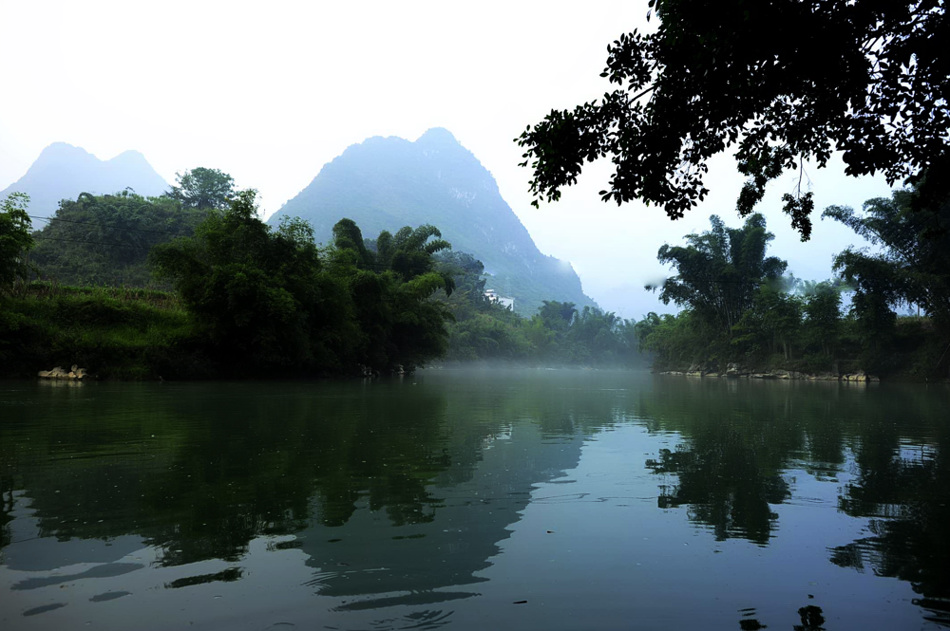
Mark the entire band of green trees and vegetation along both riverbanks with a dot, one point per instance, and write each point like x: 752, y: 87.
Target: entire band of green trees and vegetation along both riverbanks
x: 252, y: 299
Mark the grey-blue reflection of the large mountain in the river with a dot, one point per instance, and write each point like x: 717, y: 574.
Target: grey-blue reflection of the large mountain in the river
x: 409, y: 561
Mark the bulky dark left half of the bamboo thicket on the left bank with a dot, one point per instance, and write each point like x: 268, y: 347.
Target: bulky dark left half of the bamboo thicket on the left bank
x: 261, y: 296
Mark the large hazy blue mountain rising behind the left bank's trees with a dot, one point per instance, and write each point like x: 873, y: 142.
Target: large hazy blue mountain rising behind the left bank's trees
x: 388, y: 183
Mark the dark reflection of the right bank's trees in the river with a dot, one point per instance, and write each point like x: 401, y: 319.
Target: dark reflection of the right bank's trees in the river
x: 738, y: 438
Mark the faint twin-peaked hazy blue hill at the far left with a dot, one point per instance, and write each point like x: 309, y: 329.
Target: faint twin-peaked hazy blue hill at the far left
x: 63, y: 172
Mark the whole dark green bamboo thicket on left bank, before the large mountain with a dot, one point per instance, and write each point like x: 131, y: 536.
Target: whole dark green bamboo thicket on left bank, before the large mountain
x: 270, y: 300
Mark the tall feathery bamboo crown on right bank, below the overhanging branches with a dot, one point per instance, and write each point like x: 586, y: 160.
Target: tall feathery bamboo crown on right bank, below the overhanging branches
x: 720, y: 271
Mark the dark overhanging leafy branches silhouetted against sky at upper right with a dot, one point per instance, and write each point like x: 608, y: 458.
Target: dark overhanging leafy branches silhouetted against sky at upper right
x: 781, y: 81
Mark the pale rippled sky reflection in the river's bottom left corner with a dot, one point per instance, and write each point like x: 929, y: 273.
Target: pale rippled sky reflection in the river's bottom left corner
x: 142, y: 598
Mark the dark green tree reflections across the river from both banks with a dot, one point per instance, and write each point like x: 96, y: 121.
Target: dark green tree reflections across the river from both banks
x: 203, y: 471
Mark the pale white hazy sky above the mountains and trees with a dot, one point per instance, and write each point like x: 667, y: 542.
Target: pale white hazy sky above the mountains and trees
x: 270, y: 92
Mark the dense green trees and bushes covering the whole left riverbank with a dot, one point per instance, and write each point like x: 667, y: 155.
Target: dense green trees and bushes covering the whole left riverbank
x: 210, y: 291
